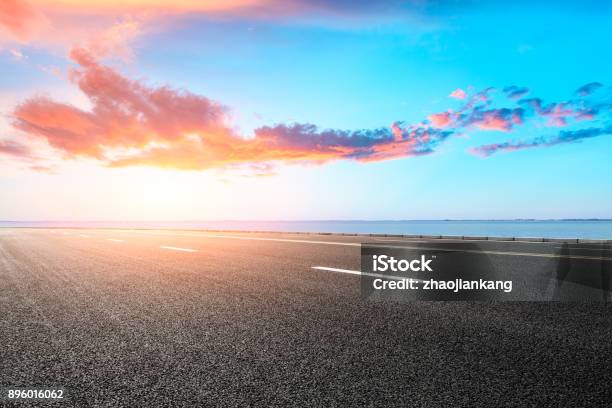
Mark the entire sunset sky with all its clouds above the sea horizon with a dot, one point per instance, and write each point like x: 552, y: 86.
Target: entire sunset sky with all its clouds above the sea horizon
x: 281, y: 110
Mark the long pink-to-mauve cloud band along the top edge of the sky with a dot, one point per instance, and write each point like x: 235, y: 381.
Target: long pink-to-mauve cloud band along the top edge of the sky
x: 62, y: 21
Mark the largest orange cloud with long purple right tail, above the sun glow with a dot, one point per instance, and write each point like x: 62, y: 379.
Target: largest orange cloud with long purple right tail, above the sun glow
x: 131, y: 123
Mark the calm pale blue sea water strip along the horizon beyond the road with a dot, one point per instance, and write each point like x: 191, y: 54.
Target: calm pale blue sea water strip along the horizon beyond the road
x: 598, y: 229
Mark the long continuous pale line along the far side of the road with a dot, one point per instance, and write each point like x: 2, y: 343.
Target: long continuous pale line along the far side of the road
x: 357, y: 244
